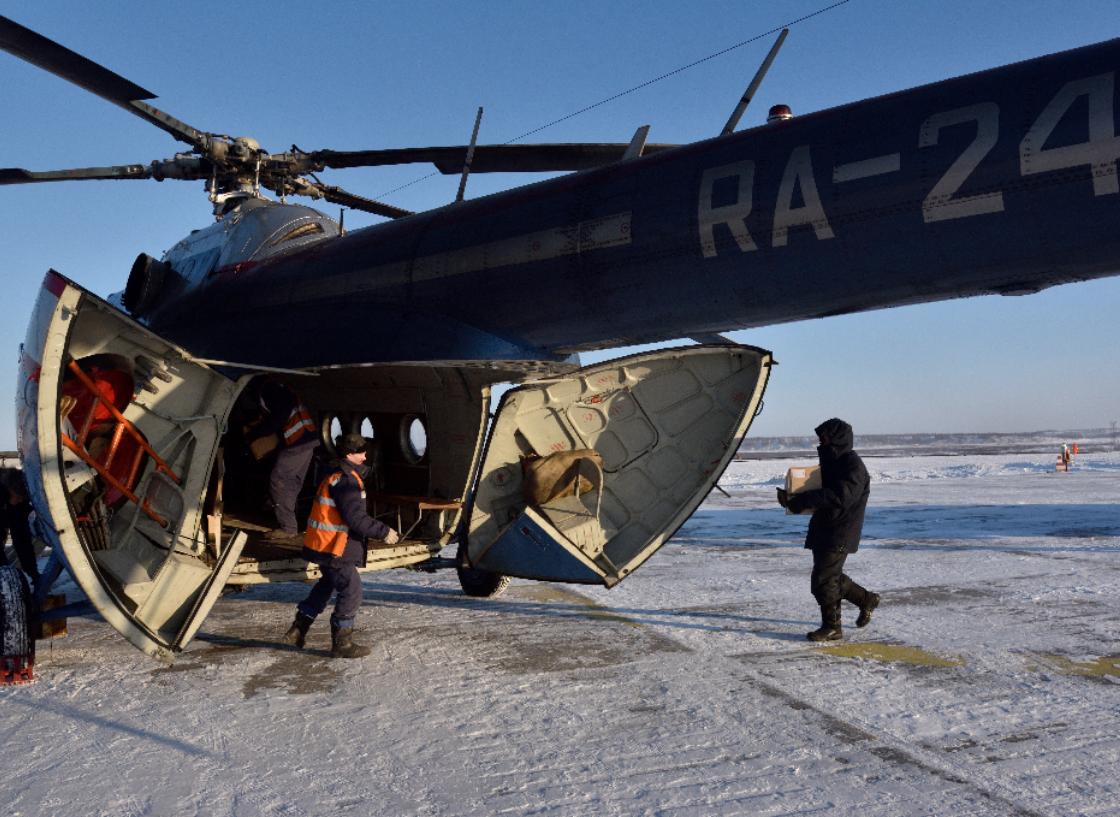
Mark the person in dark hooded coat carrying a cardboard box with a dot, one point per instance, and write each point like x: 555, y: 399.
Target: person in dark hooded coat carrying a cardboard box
x: 835, y: 528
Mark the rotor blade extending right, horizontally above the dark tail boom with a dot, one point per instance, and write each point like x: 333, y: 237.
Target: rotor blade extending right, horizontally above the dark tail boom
x: 488, y: 159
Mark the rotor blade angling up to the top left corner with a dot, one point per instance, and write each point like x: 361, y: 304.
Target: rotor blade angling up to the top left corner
x: 49, y: 55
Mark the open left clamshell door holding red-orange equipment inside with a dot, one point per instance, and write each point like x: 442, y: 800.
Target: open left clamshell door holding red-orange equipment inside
x: 119, y: 431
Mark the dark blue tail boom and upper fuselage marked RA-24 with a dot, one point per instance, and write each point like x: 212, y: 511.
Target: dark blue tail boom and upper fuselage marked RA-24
x: 1001, y: 182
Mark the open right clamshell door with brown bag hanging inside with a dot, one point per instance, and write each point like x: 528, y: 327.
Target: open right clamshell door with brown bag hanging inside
x: 585, y: 477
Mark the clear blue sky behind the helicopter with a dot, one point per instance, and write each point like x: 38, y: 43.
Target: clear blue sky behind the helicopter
x: 352, y: 76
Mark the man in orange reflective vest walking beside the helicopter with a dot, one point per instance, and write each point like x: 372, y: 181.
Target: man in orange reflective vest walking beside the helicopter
x: 337, y: 540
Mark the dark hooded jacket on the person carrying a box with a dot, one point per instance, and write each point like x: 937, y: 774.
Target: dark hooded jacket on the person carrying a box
x: 839, y: 505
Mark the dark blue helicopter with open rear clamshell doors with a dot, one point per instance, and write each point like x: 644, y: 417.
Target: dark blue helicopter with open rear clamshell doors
x: 146, y: 499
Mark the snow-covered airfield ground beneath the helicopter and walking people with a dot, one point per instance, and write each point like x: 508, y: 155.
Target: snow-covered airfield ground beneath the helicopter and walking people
x: 988, y: 683
